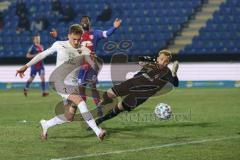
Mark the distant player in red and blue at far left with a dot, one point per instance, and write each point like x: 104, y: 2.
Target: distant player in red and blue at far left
x: 38, y: 67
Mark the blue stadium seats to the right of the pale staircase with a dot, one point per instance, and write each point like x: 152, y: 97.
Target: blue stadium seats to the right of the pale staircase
x: 221, y: 33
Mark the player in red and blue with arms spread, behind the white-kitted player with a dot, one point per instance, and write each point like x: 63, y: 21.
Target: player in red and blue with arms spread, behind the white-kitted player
x: 90, y: 39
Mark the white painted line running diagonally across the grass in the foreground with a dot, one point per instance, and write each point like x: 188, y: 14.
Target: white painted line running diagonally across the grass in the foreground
x: 147, y: 148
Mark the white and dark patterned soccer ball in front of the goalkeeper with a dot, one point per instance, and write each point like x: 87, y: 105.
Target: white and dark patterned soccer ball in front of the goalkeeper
x: 163, y: 111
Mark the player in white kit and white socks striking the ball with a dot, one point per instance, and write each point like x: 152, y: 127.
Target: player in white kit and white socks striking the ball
x: 66, y: 50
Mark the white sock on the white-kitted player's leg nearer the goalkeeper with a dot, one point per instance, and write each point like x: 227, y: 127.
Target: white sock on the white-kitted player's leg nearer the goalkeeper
x: 82, y: 106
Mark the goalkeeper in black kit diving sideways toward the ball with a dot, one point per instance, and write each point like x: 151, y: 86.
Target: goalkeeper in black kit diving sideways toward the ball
x: 151, y: 79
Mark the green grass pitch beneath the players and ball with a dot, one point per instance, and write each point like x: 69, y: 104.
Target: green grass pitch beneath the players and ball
x: 205, y: 125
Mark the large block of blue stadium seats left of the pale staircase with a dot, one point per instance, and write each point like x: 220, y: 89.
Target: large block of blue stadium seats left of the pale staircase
x: 152, y: 22
